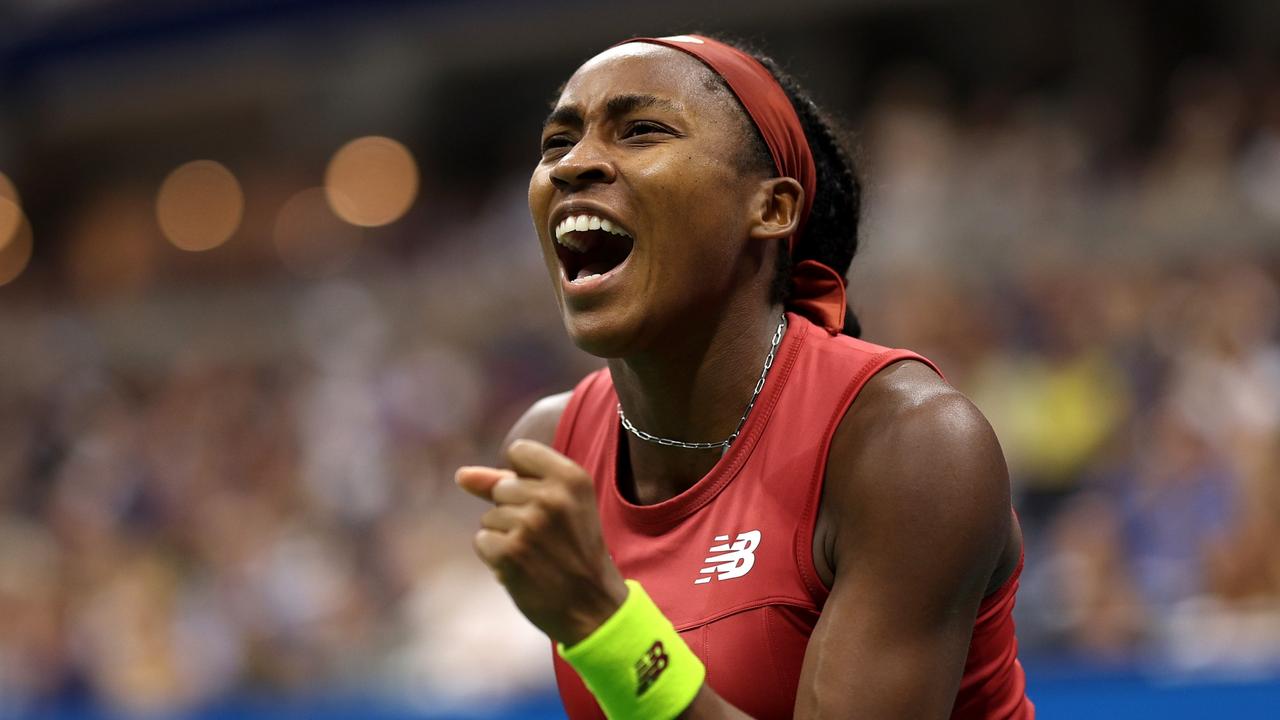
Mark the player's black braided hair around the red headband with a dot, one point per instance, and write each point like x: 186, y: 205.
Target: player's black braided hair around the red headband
x: 831, y: 233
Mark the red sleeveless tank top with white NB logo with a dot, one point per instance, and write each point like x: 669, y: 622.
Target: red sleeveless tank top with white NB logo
x: 730, y: 560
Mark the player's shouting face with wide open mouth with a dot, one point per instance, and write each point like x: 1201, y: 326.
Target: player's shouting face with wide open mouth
x: 639, y: 200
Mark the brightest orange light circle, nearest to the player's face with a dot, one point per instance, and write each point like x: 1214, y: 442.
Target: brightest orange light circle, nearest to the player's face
x: 372, y: 181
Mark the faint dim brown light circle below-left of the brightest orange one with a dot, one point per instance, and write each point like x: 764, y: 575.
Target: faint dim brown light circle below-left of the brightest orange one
x: 313, y: 243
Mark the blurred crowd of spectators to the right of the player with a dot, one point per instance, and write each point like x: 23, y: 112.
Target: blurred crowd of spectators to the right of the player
x: 1117, y: 316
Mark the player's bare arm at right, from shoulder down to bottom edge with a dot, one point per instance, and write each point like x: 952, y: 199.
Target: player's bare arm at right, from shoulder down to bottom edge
x: 920, y: 491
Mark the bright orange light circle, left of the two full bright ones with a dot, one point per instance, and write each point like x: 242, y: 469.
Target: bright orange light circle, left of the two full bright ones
x: 200, y: 206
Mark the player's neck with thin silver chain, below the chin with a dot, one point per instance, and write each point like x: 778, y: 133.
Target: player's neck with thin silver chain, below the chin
x: 694, y: 390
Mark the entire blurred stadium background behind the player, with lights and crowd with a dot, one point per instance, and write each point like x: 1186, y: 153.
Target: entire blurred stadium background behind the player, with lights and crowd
x: 268, y: 277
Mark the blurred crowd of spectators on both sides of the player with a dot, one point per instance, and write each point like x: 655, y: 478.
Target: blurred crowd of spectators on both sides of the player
x: 246, y: 486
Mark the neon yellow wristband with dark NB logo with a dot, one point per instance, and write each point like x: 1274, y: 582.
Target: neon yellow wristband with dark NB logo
x: 636, y: 664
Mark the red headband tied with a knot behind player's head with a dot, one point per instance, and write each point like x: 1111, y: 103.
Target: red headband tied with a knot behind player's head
x: 819, y: 290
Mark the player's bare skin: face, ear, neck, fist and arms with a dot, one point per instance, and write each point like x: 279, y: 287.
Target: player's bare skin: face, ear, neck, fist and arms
x: 915, y: 527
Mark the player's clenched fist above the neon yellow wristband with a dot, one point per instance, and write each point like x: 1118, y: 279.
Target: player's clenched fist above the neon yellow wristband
x: 543, y: 541
